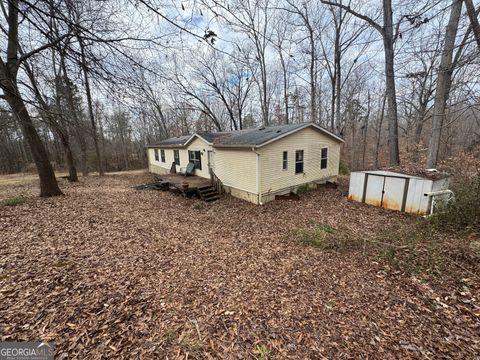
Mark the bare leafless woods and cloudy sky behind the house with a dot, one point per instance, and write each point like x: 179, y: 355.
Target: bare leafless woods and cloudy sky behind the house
x: 87, y: 85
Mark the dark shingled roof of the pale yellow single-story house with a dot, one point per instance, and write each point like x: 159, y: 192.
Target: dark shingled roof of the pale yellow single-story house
x: 246, y: 137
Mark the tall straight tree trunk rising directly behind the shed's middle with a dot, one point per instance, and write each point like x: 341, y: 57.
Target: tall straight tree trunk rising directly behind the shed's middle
x: 390, y: 84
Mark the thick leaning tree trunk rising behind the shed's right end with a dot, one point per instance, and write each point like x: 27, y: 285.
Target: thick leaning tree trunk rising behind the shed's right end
x: 443, y: 83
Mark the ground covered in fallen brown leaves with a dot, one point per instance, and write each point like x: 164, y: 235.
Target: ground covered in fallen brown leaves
x: 109, y: 272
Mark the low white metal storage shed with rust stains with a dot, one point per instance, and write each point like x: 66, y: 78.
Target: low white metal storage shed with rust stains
x: 392, y: 190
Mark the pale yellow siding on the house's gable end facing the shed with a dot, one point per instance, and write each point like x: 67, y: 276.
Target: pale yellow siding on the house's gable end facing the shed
x: 311, y: 141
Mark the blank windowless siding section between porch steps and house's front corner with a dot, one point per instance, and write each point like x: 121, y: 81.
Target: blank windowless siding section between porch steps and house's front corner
x: 236, y: 168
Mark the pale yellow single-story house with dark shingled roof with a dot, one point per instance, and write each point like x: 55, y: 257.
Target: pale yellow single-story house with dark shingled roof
x: 254, y: 164
